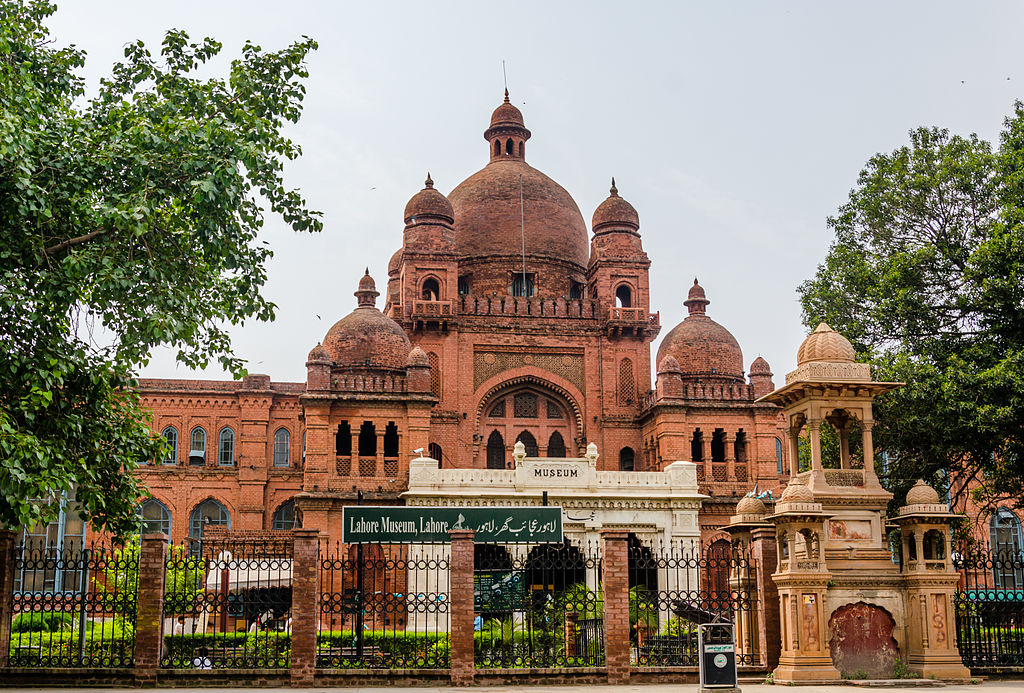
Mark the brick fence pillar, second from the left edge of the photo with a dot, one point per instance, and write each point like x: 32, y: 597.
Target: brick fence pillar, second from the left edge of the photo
x: 150, y: 609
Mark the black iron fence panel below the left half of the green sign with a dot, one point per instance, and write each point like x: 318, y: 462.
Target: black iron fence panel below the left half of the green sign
x: 385, y: 607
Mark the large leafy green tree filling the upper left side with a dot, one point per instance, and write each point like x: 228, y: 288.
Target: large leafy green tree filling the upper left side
x: 139, y: 211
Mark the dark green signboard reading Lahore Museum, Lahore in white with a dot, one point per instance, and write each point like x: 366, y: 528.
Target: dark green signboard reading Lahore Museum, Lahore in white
x: 392, y: 525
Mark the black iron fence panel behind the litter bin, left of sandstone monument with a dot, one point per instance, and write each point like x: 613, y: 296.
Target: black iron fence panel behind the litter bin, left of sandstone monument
x: 676, y: 588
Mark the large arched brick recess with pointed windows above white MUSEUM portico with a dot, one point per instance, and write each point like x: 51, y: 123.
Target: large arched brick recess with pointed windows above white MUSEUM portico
x: 541, y: 419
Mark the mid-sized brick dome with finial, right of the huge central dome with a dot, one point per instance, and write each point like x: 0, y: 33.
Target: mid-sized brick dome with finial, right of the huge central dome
x: 702, y: 346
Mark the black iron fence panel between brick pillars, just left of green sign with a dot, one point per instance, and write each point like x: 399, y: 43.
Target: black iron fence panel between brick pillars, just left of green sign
x: 228, y: 607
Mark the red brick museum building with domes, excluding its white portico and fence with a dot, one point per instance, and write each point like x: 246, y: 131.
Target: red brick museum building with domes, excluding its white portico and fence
x: 504, y: 319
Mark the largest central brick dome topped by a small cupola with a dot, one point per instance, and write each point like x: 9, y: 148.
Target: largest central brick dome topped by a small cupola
x: 491, y: 223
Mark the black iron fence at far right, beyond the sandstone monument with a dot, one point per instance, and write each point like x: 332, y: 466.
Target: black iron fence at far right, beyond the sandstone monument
x: 991, y: 608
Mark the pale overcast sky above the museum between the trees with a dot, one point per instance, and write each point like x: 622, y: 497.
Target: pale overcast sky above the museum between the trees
x: 735, y: 128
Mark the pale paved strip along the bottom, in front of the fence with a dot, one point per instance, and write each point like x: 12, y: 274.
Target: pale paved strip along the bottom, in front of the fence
x: 999, y: 686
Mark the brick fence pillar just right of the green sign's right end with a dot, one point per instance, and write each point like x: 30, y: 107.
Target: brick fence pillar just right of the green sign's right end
x: 615, y: 576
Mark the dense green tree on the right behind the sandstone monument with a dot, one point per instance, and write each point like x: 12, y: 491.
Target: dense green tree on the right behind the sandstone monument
x: 926, y: 278
